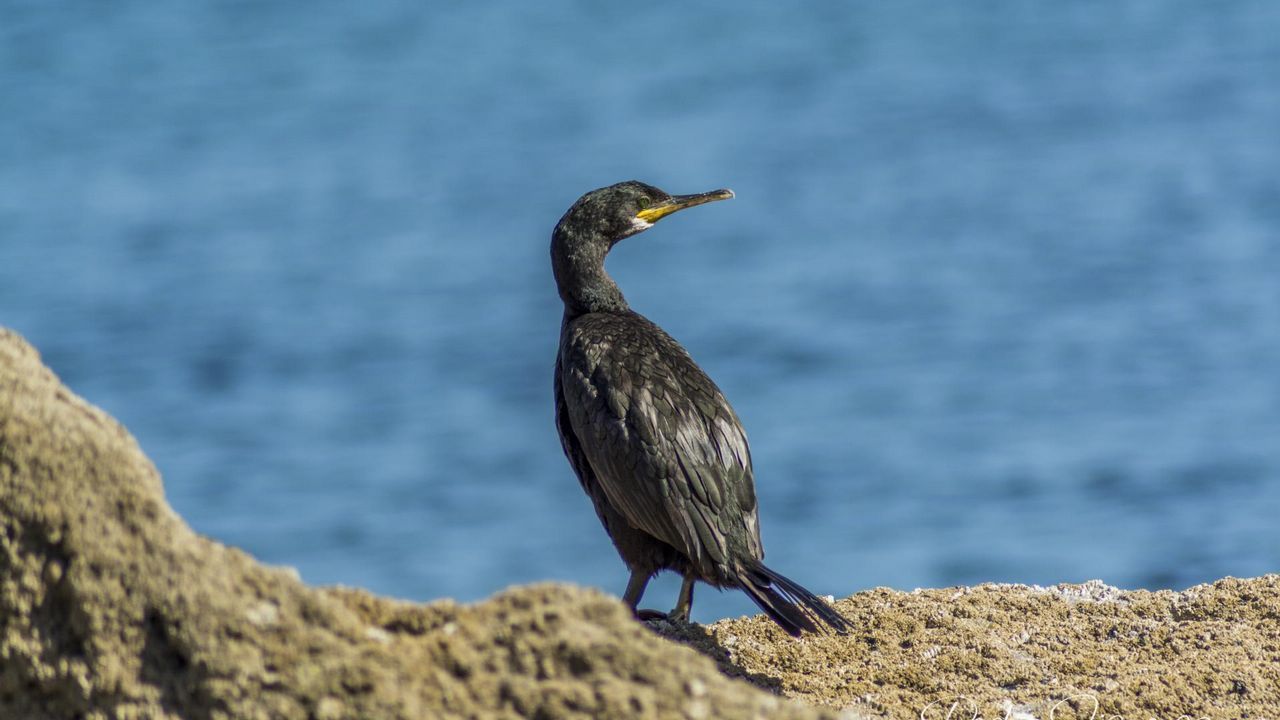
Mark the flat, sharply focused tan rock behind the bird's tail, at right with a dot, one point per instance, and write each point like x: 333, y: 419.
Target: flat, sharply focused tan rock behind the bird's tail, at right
x: 1025, y: 651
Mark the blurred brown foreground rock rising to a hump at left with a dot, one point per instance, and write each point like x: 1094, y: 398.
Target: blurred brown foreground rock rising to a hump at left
x: 111, y: 607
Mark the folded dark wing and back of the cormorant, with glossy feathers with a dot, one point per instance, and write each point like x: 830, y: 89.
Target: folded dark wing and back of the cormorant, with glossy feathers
x: 668, y: 449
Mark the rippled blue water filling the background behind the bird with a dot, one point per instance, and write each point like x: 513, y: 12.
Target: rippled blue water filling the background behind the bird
x: 999, y: 298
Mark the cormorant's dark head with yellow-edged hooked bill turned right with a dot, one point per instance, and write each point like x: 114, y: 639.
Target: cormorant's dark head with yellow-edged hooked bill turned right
x: 618, y: 212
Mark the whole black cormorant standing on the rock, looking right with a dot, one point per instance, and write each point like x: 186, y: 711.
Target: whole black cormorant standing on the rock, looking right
x: 652, y: 439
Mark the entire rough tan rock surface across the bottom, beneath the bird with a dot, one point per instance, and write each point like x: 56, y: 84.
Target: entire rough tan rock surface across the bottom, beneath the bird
x: 111, y: 607
